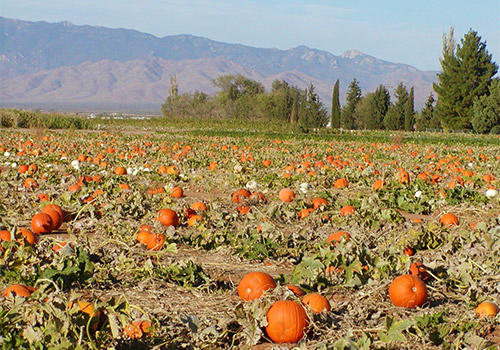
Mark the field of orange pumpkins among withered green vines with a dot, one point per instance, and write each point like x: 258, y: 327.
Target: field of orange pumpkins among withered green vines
x: 174, y: 239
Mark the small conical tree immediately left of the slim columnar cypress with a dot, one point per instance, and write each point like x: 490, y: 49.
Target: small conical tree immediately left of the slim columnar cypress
x: 313, y: 113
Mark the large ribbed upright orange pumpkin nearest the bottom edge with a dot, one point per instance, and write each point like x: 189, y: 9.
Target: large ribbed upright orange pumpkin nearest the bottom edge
x: 286, y: 322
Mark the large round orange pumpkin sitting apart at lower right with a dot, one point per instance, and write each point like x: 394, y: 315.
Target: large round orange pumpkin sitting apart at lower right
x: 408, y: 291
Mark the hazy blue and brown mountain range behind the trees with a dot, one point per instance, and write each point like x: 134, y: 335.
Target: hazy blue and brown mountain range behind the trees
x: 61, y: 65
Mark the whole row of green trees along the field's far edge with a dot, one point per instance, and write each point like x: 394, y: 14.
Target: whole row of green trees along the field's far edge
x: 468, y: 98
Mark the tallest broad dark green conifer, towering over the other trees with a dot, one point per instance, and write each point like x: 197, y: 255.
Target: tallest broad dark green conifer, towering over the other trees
x: 466, y: 74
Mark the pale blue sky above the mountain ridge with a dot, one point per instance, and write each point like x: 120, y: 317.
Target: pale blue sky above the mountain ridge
x: 396, y: 31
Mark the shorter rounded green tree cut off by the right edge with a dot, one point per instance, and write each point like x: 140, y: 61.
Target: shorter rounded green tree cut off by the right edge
x: 486, y: 111
